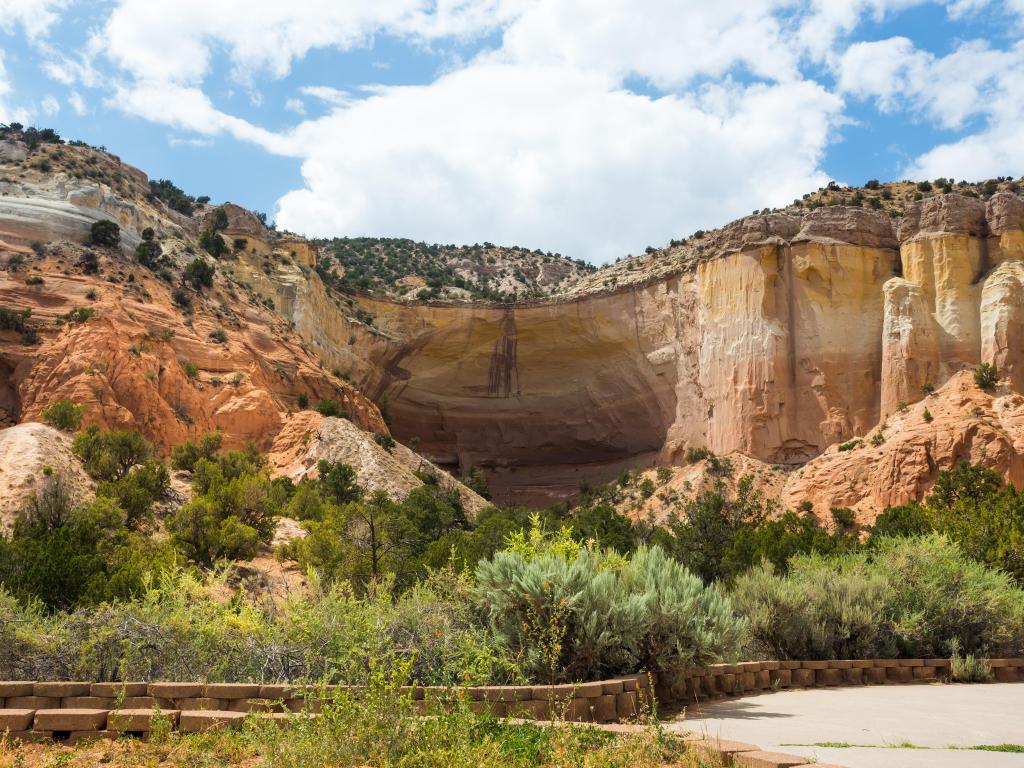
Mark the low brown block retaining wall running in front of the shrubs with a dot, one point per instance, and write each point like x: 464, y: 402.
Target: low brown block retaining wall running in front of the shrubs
x: 73, y: 711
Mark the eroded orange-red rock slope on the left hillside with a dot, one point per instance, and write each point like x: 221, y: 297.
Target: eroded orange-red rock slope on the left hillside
x: 137, y: 365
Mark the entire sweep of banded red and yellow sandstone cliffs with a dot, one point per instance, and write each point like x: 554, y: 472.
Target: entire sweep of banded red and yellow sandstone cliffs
x: 777, y: 337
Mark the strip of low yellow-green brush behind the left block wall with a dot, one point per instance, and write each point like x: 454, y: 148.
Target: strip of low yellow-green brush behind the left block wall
x: 172, y: 630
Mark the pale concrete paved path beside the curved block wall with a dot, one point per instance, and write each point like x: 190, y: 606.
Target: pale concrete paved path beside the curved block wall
x: 935, y: 716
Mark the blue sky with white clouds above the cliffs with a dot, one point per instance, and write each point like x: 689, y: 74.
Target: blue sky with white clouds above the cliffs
x: 592, y: 129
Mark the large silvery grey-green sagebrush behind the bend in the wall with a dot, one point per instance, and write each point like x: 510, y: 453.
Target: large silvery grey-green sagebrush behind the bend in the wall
x: 571, y: 613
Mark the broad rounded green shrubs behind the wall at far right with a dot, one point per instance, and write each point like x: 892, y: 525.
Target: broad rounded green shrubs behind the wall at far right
x: 912, y: 596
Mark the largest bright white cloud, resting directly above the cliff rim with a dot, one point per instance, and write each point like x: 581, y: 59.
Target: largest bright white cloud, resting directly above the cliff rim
x: 552, y: 157
